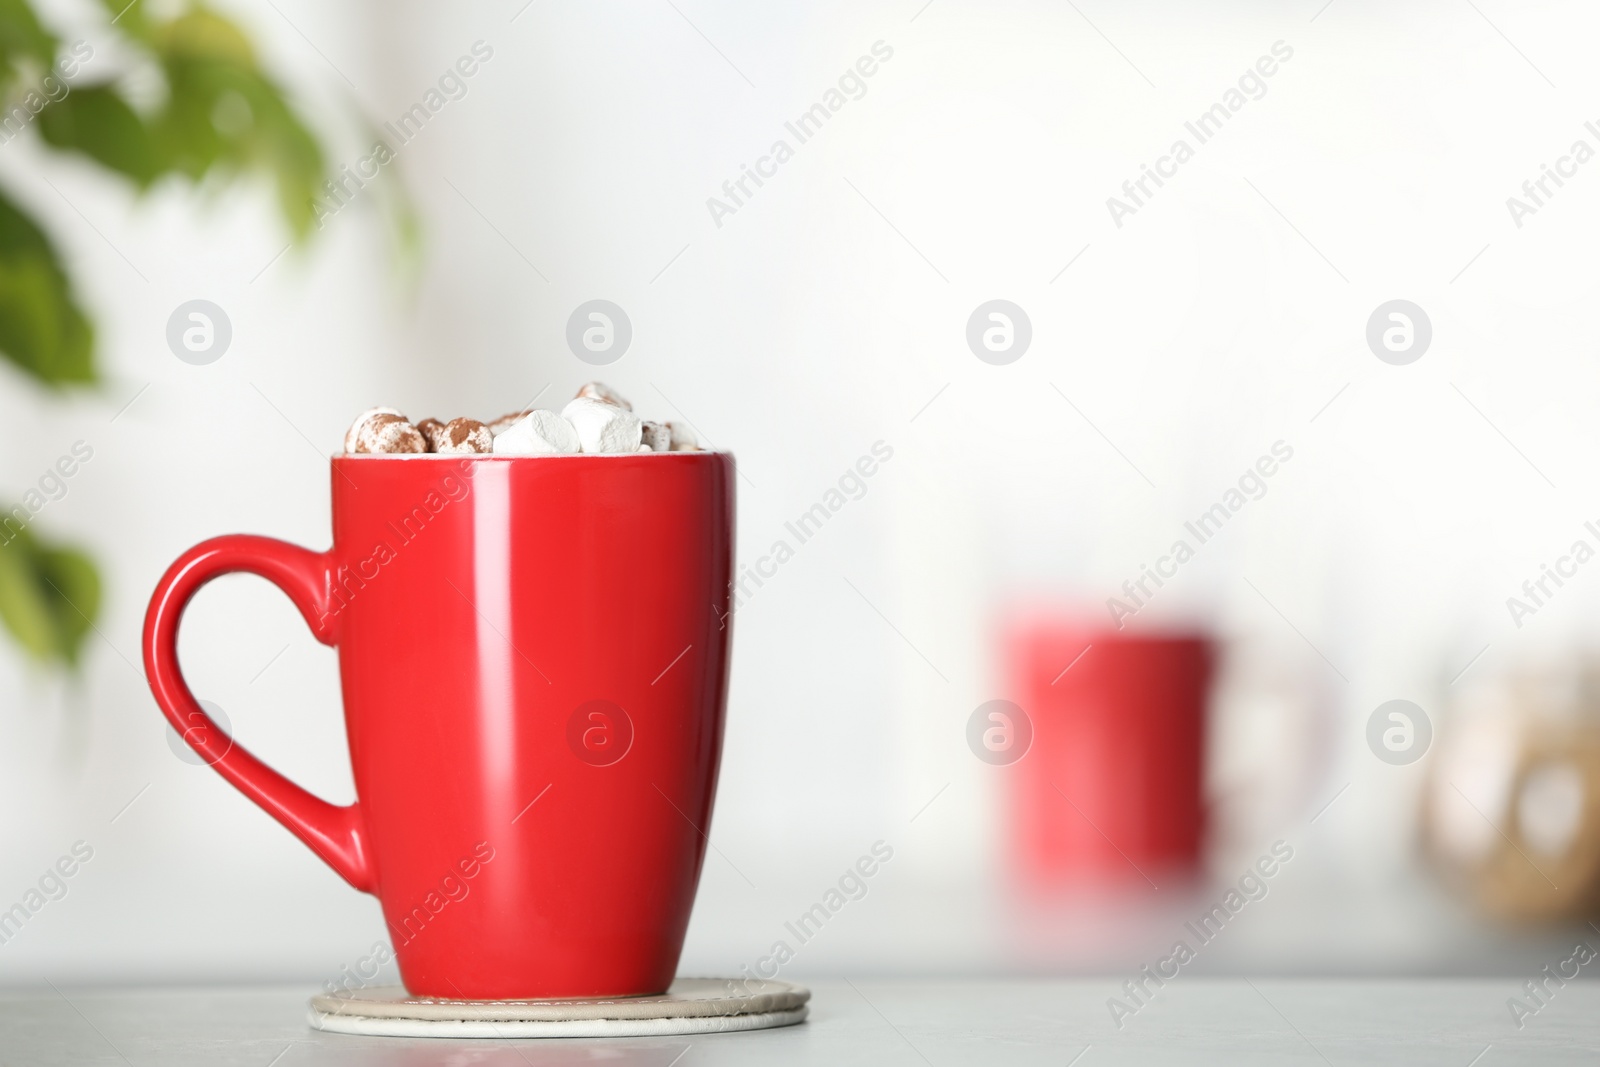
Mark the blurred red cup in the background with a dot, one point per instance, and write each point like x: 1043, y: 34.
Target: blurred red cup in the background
x: 1111, y: 789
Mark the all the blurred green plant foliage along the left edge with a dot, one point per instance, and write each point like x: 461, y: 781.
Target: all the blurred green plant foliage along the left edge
x: 222, y: 116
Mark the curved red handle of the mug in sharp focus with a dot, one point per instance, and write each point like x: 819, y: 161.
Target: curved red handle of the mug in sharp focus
x: 335, y: 834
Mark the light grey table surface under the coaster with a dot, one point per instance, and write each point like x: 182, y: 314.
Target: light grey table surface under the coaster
x: 868, y: 1021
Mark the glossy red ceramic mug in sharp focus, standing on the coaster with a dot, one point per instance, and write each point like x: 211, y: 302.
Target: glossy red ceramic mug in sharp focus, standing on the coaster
x: 535, y: 661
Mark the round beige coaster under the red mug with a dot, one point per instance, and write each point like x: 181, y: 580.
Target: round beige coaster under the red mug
x: 694, y: 1005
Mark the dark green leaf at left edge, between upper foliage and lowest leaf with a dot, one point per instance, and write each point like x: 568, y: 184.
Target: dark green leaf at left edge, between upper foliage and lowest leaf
x: 42, y: 329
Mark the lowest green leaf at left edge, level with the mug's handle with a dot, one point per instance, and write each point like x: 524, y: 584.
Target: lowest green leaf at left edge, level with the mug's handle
x: 50, y: 596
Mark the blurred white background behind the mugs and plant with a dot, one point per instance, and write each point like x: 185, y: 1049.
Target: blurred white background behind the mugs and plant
x: 825, y: 316
